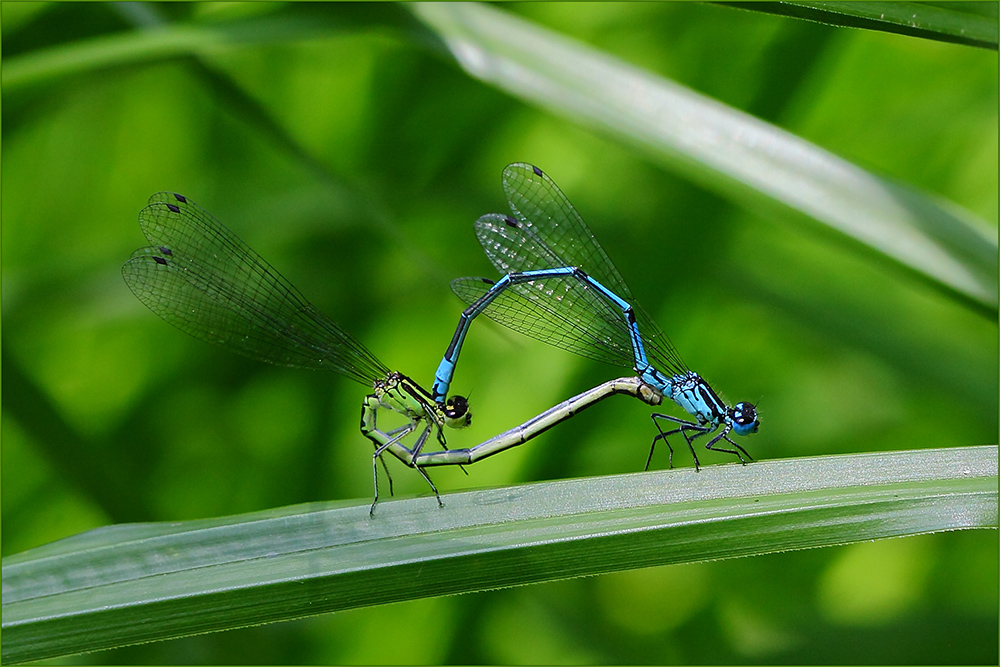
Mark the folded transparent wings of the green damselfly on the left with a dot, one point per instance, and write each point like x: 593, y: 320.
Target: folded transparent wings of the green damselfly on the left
x: 201, y: 278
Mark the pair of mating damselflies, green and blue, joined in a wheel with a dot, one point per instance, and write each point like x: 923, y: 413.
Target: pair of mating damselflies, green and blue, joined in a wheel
x: 557, y: 285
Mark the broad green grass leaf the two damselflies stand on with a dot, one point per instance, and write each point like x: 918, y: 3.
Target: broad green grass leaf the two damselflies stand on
x: 133, y: 583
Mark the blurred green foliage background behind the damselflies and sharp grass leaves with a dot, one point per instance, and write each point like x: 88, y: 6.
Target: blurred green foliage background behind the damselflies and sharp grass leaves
x: 355, y: 160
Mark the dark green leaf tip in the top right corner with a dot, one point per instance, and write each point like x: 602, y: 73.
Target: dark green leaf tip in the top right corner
x: 970, y: 23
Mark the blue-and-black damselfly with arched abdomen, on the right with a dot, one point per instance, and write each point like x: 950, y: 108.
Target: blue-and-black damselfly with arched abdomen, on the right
x: 560, y: 287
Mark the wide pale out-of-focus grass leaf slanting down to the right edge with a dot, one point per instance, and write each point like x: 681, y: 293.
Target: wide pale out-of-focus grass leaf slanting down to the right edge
x: 723, y: 148
